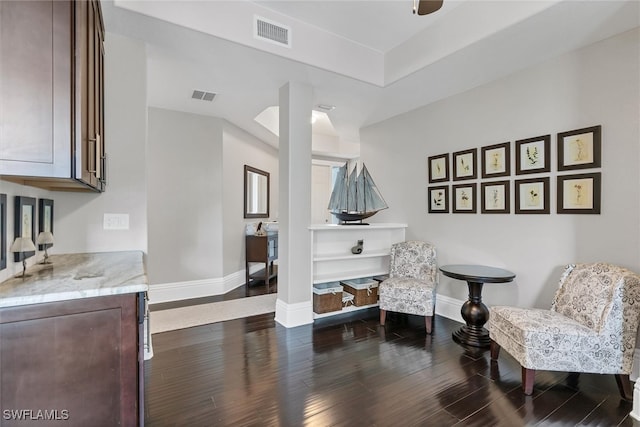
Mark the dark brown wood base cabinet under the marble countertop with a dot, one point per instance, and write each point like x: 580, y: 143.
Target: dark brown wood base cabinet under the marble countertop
x: 72, y: 363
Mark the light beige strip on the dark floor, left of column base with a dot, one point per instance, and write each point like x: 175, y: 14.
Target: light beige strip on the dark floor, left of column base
x: 202, y: 314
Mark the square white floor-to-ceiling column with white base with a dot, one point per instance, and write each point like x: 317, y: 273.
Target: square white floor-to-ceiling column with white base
x: 294, y: 305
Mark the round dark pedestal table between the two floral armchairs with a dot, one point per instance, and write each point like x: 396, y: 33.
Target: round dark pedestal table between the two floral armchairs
x: 473, y: 311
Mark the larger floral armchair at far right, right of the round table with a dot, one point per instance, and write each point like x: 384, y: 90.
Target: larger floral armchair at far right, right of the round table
x: 591, y: 326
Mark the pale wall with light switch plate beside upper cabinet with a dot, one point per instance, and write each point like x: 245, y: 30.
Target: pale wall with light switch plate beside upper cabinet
x: 78, y: 217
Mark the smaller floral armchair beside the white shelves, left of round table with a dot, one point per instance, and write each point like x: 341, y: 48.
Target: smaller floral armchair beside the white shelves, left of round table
x: 411, y: 286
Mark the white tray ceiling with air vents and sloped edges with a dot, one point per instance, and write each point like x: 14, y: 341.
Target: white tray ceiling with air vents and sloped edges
x: 370, y: 59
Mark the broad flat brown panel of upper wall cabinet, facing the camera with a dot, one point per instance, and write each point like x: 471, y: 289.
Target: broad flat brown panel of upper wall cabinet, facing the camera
x: 35, y: 88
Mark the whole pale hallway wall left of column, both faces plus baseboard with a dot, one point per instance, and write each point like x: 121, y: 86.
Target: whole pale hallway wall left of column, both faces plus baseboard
x: 195, y: 190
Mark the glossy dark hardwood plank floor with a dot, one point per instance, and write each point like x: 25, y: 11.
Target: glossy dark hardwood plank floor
x: 349, y: 371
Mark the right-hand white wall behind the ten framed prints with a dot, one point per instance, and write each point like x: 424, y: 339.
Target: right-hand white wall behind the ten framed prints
x: 597, y: 85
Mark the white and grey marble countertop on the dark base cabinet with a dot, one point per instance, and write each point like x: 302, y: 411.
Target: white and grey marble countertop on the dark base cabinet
x: 74, y: 276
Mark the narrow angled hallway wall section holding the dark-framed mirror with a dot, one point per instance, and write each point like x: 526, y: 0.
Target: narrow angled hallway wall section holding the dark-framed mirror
x: 241, y: 149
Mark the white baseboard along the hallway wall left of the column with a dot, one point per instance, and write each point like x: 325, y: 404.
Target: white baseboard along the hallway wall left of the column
x: 166, y: 292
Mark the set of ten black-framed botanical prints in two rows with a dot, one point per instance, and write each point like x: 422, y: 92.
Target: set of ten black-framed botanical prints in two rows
x: 530, y: 190
